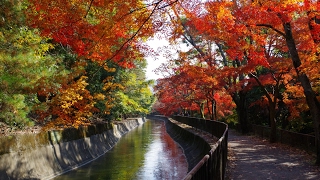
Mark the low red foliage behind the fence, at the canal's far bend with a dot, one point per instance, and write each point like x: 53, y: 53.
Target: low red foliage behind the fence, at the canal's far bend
x: 190, y: 89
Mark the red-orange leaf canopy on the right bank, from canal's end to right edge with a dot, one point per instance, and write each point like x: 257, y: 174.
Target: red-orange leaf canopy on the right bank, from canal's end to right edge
x: 237, y: 46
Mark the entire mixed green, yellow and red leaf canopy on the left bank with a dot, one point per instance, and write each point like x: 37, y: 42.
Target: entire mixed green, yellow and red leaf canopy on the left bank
x: 63, y: 63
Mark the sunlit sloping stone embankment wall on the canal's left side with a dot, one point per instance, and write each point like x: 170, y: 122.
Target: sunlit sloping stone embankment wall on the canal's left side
x: 48, y: 154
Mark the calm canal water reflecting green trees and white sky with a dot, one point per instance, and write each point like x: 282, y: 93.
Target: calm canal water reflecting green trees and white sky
x: 145, y: 153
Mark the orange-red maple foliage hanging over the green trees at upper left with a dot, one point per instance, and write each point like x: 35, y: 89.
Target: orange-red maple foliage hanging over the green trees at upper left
x: 98, y: 30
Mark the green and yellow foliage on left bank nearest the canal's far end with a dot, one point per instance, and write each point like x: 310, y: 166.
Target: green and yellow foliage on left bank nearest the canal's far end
x: 125, y: 92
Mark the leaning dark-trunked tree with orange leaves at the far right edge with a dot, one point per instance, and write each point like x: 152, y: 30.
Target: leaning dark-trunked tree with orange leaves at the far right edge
x: 291, y: 22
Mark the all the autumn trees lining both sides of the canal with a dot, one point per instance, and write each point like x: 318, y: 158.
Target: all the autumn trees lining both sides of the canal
x: 64, y: 62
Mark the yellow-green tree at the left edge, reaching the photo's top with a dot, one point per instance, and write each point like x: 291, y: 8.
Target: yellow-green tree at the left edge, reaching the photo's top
x: 24, y: 63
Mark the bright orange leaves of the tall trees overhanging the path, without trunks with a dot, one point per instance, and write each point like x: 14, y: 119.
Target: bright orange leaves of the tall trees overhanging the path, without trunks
x: 254, y: 32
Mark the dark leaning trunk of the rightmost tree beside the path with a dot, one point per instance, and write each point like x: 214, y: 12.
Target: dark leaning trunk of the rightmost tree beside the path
x: 311, y: 98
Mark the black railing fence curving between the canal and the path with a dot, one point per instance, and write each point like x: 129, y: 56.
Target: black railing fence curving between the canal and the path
x: 212, y: 165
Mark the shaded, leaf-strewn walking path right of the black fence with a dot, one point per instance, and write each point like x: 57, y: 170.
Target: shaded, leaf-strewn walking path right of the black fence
x: 253, y: 158
